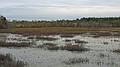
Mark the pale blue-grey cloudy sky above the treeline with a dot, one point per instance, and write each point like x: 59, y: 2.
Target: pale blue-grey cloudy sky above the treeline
x: 58, y: 9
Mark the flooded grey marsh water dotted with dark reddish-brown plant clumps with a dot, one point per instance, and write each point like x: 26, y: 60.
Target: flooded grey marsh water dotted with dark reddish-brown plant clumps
x: 103, y: 51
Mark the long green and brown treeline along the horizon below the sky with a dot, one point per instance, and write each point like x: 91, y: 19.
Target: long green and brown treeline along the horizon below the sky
x: 82, y: 22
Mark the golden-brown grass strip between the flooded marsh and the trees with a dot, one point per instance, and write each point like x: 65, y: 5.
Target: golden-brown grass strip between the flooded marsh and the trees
x: 57, y: 30
